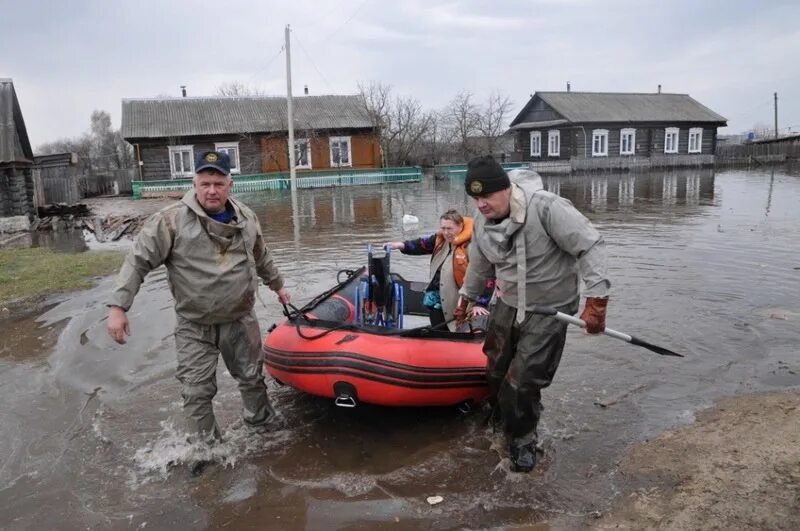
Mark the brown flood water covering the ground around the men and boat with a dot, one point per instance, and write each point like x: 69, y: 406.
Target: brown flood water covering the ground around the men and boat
x: 705, y: 264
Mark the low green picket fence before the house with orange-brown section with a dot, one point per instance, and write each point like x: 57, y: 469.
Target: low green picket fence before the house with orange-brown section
x: 281, y: 180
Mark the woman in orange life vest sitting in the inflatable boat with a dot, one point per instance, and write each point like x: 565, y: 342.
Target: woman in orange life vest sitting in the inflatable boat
x: 449, y: 262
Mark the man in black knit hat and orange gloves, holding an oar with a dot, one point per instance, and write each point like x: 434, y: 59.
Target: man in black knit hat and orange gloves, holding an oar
x: 539, y: 247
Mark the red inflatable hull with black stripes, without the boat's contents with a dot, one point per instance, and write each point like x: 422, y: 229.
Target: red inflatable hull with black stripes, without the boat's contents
x: 363, y: 367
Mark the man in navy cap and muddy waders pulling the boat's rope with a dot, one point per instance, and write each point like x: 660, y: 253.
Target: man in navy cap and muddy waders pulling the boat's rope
x: 214, y: 252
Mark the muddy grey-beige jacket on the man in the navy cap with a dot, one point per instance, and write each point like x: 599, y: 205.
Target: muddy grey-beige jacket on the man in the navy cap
x: 212, y: 268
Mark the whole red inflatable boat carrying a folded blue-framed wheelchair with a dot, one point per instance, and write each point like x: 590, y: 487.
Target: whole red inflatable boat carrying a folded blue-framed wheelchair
x: 348, y: 344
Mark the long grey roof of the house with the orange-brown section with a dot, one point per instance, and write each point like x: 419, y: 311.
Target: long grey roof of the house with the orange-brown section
x: 156, y: 118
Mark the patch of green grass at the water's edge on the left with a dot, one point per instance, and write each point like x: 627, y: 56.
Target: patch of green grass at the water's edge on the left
x: 30, y: 273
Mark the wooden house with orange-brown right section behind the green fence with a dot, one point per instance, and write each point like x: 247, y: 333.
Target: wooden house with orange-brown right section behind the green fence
x: 330, y: 132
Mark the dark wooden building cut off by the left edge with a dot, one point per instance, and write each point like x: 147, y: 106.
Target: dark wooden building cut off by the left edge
x: 16, y: 163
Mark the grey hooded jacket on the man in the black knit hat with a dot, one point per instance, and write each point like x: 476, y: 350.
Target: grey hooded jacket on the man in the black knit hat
x: 539, y: 252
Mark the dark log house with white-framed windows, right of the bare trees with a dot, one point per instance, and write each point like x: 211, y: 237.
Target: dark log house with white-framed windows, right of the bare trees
x: 593, y: 130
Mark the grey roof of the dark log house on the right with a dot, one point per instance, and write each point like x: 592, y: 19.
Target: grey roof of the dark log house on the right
x: 584, y: 107
